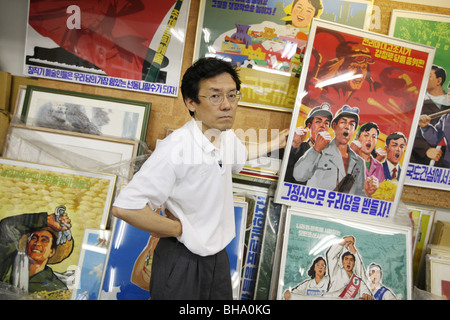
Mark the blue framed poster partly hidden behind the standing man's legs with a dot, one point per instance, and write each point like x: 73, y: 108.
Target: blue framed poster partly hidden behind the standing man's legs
x: 129, y: 262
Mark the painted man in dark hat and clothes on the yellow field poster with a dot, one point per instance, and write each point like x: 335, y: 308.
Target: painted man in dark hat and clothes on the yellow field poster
x: 37, y: 241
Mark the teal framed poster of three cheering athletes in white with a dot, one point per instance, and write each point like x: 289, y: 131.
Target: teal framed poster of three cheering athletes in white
x: 326, y: 257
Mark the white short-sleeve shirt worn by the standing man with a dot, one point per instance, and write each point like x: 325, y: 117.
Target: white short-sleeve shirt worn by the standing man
x: 192, y: 179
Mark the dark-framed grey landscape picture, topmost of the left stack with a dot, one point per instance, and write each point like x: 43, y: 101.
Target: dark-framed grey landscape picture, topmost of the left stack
x: 84, y: 113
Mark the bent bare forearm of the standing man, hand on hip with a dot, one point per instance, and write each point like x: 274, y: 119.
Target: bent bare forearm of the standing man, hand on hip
x: 148, y: 220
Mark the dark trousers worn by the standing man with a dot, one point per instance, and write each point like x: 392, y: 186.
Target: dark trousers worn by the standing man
x: 177, y: 273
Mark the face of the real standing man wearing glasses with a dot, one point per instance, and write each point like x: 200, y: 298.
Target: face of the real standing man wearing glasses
x: 220, y: 117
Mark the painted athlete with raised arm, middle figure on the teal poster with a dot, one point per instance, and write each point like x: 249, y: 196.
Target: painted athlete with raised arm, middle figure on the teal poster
x: 346, y: 268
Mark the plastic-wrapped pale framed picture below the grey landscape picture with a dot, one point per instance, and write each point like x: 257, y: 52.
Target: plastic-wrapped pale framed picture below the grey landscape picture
x: 69, y: 149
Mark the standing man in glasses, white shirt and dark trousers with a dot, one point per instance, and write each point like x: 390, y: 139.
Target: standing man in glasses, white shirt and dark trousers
x: 189, y: 175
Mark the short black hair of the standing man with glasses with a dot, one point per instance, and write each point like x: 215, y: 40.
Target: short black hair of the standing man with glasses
x: 205, y: 68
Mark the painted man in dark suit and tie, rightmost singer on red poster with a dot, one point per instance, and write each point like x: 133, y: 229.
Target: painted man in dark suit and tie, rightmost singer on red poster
x: 395, y: 148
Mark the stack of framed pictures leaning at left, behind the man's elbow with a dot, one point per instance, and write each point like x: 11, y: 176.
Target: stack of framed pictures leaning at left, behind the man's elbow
x: 64, y: 154
